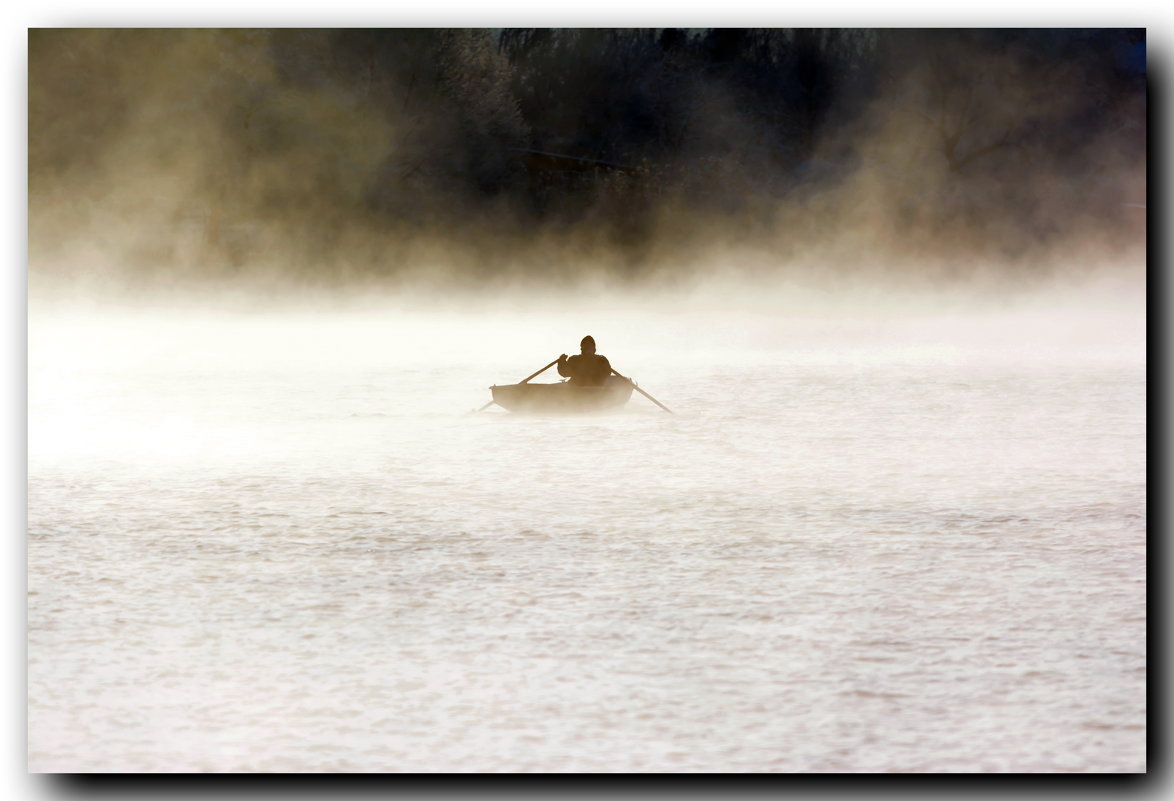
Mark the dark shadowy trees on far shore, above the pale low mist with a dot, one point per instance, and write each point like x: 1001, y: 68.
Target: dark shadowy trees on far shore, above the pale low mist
x: 332, y: 134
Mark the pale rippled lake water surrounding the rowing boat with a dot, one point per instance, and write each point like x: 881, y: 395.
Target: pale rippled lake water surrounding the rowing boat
x: 255, y: 546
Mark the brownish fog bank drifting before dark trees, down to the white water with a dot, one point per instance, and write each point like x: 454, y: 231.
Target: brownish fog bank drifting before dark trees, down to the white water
x: 361, y: 159
